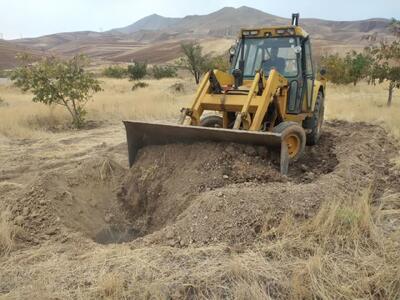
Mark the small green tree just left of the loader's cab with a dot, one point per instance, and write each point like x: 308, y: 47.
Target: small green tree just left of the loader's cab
x: 193, y: 60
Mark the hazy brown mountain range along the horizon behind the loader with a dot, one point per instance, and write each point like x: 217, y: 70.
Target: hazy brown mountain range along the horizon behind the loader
x: 157, y: 39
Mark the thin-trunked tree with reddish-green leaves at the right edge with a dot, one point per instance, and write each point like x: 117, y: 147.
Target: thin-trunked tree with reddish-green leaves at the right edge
x: 387, y: 65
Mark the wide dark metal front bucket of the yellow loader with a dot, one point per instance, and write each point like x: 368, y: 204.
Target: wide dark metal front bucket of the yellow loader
x: 141, y: 134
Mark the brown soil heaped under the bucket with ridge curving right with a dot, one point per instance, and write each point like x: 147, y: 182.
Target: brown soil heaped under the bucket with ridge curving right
x: 183, y: 195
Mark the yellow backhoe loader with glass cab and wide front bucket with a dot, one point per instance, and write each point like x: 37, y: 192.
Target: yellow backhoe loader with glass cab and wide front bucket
x: 270, y: 97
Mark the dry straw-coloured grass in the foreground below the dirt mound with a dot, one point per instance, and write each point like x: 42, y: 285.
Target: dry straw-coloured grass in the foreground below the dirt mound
x: 340, y: 253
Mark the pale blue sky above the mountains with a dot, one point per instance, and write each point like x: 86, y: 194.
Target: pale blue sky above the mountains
x: 30, y: 18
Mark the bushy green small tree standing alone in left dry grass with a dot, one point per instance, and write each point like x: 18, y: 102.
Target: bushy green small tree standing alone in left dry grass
x: 57, y: 82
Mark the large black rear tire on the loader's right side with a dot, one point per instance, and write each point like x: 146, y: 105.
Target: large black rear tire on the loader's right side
x: 314, y: 124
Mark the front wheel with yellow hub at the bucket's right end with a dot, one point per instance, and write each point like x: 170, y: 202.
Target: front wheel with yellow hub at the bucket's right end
x: 295, y: 137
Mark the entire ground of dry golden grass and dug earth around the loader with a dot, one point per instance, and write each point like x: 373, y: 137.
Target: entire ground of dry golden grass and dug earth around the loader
x: 330, y: 230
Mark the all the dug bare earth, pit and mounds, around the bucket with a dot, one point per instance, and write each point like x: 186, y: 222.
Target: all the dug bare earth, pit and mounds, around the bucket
x: 181, y: 194
